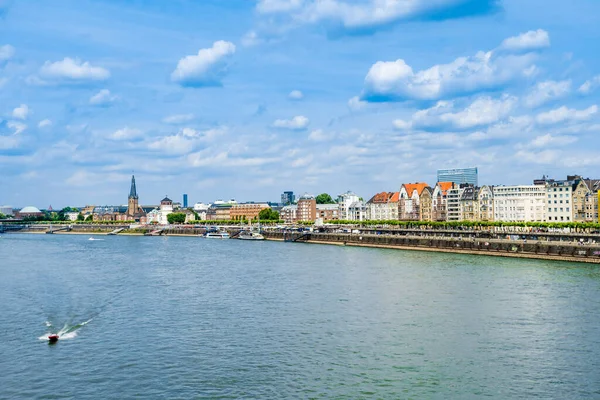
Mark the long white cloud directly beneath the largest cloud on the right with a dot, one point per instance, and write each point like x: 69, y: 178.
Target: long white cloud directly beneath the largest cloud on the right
x: 482, y: 111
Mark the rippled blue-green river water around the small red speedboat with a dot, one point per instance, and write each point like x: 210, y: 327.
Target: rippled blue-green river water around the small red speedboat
x: 182, y: 318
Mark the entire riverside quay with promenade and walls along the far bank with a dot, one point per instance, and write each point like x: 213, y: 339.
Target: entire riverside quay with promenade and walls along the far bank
x: 523, y: 243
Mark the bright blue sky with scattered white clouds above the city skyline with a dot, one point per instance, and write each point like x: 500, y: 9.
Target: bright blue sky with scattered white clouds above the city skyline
x: 246, y: 99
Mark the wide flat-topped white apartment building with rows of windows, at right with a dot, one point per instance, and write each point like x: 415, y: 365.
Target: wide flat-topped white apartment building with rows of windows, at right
x: 521, y: 203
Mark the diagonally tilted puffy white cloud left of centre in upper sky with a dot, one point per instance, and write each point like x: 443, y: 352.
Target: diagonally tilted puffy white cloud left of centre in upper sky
x: 206, y: 68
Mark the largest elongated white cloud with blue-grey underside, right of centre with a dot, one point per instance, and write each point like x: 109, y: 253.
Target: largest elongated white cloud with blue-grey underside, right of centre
x: 396, y: 80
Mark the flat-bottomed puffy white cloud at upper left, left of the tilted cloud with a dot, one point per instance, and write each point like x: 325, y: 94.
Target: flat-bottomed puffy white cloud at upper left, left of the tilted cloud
x: 73, y: 70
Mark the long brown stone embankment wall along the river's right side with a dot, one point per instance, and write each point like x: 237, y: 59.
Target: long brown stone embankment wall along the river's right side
x: 565, y: 251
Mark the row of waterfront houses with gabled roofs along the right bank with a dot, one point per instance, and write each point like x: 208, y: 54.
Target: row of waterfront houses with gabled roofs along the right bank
x: 574, y: 199
